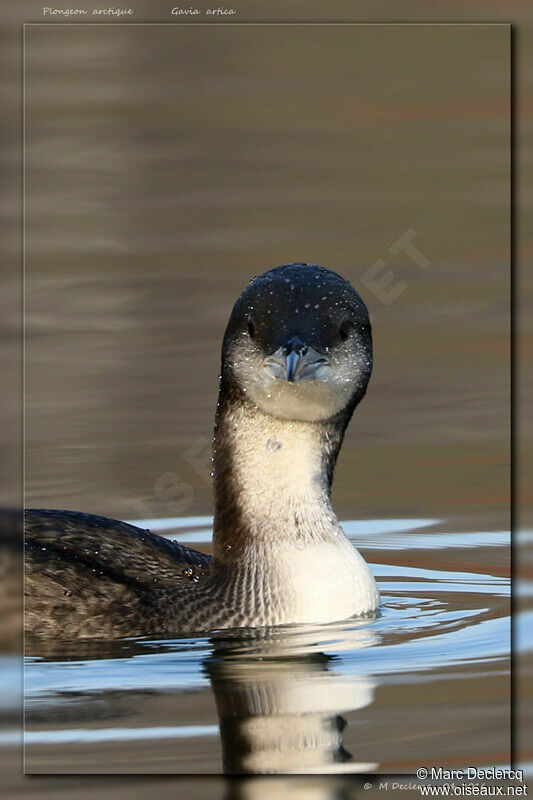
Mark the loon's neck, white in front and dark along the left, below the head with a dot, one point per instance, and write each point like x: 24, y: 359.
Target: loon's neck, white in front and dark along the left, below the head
x: 272, y: 481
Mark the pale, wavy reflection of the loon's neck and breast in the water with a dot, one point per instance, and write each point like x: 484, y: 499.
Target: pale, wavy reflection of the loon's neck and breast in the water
x: 281, y: 702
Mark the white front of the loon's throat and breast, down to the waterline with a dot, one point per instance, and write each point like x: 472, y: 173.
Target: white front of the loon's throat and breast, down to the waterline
x: 308, y: 568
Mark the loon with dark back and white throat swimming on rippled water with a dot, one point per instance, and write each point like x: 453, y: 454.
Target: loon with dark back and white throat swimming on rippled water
x: 296, y: 361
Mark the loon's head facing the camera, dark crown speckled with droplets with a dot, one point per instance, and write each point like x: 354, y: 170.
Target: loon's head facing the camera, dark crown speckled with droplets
x: 298, y: 344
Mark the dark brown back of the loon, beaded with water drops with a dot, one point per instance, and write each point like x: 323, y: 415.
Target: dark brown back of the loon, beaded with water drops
x: 87, y: 575
